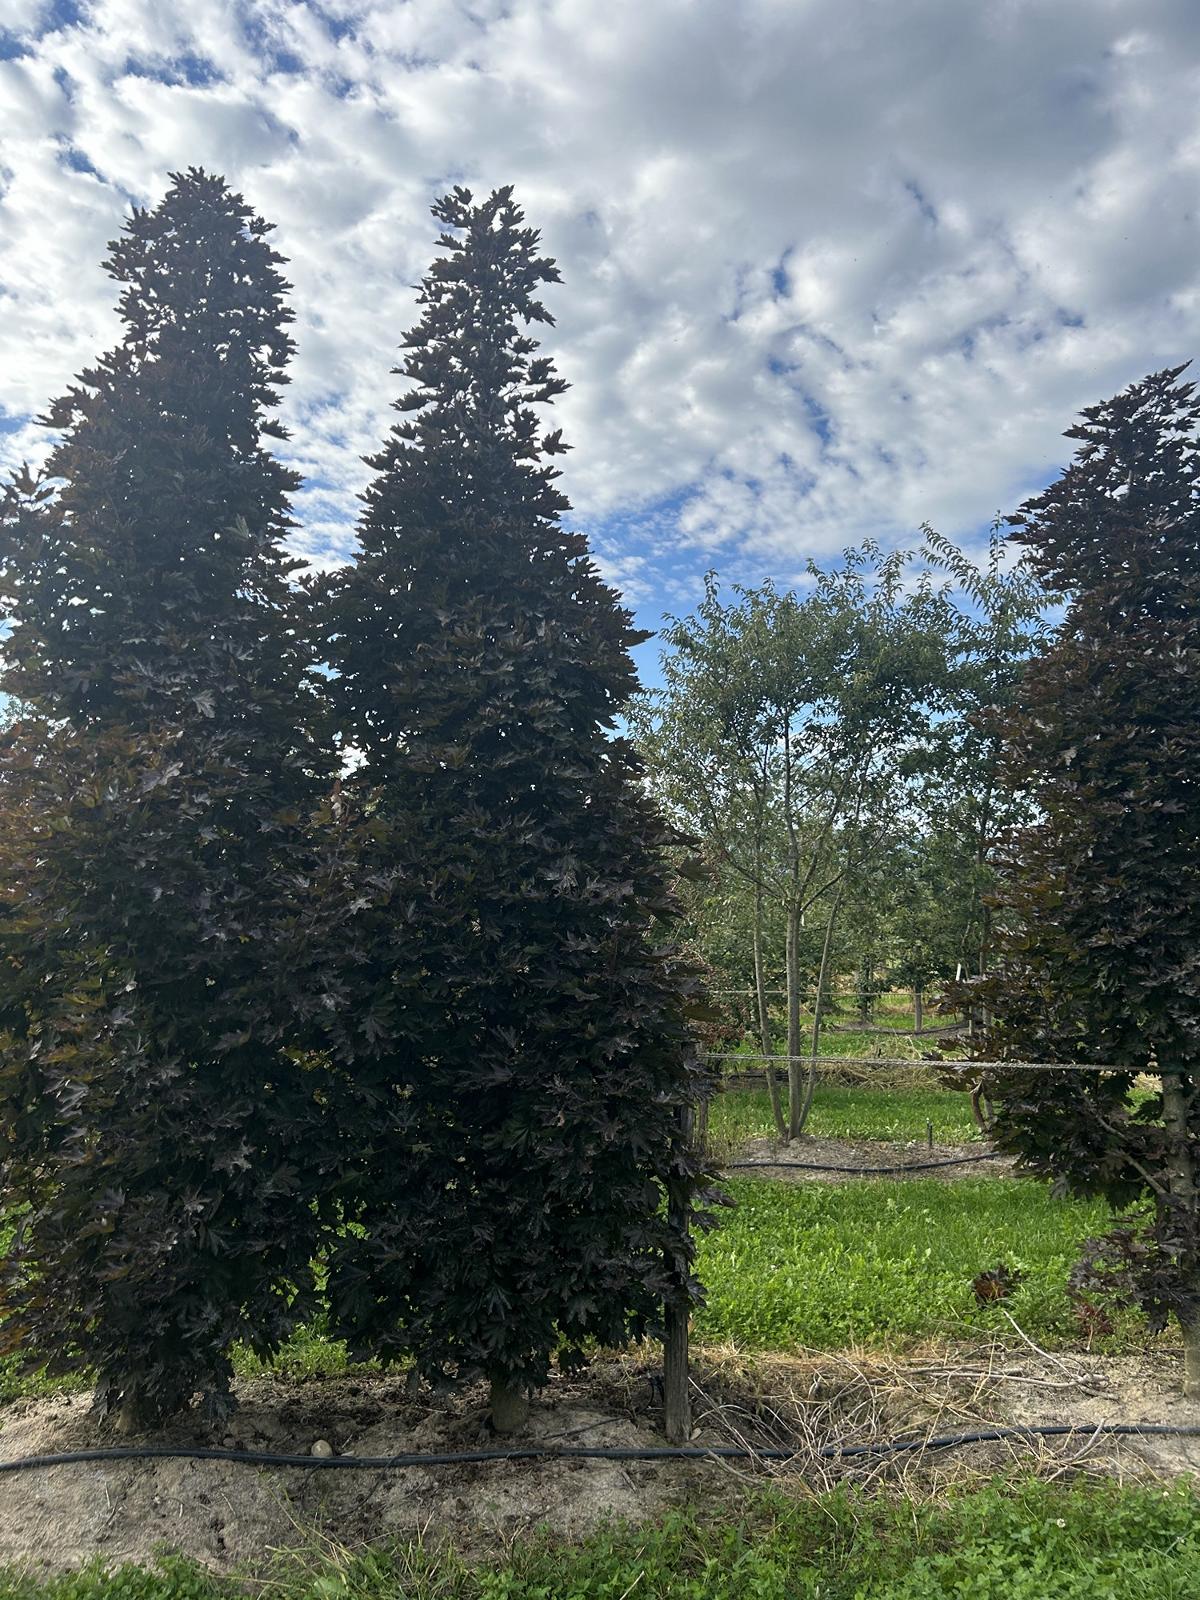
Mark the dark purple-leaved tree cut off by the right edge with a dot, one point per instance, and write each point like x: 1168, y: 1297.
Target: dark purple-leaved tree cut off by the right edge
x: 1102, y: 897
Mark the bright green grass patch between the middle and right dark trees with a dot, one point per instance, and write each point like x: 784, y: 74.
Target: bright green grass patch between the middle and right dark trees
x: 889, y: 1265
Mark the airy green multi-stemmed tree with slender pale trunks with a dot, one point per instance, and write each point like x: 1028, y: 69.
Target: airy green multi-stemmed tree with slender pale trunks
x: 780, y: 740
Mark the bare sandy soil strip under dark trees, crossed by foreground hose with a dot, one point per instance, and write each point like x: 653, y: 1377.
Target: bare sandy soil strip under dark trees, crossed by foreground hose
x: 234, y: 1518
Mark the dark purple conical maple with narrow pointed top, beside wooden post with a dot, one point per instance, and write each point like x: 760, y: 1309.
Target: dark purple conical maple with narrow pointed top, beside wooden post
x: 524, y: 1090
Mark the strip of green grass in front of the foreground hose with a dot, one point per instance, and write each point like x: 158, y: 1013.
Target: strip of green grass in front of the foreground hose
x: 1004, y: 1542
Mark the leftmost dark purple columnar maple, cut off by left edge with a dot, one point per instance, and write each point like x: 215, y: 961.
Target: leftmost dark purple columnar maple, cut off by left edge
x: 158, y: 1127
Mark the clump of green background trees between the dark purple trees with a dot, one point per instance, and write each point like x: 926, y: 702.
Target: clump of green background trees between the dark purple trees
x: 836, y: 753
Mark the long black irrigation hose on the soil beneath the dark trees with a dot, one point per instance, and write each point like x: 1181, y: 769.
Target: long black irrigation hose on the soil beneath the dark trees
x: 887, y: 1447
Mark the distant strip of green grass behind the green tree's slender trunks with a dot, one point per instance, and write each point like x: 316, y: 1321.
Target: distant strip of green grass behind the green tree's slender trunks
x: 850, y: 1113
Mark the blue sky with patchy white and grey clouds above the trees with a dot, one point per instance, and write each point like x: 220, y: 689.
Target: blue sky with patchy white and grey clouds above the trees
x: 833, y: 268
